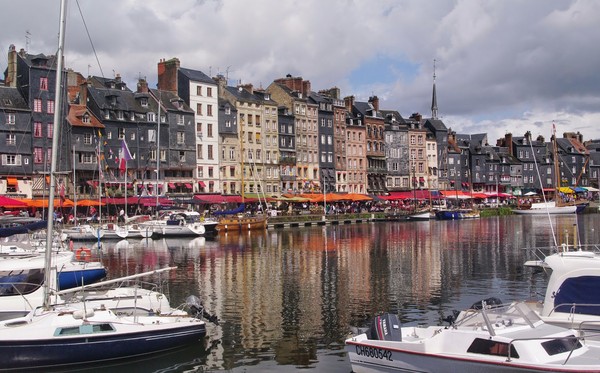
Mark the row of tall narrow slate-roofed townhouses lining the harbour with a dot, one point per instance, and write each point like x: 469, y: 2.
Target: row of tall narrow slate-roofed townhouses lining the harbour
x: 197, y: 134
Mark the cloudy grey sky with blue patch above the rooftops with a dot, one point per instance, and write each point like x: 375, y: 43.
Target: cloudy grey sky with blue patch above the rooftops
x: 503, y: 66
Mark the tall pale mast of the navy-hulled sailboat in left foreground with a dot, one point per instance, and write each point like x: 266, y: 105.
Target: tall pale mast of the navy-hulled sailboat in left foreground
x: 55, y: 143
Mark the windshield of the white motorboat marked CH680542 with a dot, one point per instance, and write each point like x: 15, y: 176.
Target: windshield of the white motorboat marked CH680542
x: 494, y: 318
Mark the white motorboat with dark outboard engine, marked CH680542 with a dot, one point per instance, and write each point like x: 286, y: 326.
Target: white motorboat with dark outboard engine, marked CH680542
x: 507, y: 338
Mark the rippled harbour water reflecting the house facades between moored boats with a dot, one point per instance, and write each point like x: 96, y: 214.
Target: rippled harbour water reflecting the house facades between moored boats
x: 288, y: 297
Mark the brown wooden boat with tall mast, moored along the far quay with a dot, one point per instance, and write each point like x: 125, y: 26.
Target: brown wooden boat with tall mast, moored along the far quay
x: 236, y: 219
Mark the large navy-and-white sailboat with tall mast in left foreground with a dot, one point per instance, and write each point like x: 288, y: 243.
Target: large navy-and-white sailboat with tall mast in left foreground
x: 63, y: 335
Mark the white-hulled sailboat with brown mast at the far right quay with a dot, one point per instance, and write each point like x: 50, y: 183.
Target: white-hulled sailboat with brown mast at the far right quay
x: 558, y: 206
